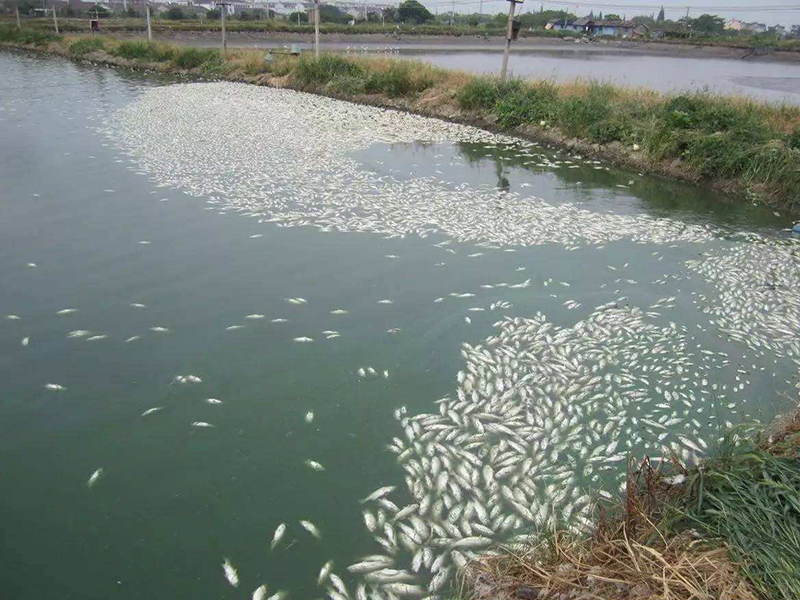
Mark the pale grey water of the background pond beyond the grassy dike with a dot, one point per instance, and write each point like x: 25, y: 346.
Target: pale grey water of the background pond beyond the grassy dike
x: 758, y: 77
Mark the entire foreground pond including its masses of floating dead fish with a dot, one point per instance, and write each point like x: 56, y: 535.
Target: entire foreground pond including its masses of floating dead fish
x: 227, y: 308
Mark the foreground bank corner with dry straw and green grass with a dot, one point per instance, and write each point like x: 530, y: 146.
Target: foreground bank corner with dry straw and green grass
x: 726, y: 529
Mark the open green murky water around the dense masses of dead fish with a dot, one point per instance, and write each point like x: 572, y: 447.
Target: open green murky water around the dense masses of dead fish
x: 174, y: 499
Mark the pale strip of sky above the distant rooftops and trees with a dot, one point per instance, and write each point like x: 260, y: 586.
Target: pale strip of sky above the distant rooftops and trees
x: 772, y: 12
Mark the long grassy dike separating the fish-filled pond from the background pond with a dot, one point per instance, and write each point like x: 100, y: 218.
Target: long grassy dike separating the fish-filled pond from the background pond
x: 736, y: 145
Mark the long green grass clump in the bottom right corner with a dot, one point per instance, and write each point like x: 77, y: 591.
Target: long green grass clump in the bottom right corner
x: 750, y: 500
